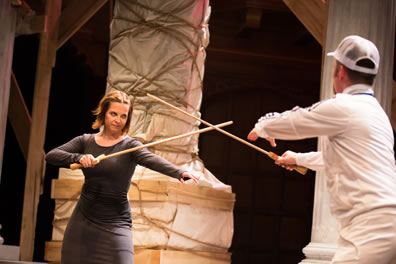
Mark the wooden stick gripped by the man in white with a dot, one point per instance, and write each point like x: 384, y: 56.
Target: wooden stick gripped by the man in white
x: 272, y: 155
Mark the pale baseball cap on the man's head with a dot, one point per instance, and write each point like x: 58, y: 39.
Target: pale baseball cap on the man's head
x: 353, y: 49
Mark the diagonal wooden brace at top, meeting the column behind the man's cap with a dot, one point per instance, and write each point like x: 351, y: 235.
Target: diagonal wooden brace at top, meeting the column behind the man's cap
x: 312, y: 14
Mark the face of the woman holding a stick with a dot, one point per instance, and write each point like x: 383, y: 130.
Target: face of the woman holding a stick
x: 116, y: 117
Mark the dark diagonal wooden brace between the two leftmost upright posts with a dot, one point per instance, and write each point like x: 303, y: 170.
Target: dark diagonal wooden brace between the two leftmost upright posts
x: 19, y: 116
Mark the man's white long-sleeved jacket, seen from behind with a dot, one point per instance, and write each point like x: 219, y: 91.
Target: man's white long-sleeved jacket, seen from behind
x: 358, y: 154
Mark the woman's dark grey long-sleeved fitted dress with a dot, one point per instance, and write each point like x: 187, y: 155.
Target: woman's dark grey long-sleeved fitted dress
x: 99, y: 230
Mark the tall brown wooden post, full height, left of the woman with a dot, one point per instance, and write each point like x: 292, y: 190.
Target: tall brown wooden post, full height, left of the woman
x: 35, y: 161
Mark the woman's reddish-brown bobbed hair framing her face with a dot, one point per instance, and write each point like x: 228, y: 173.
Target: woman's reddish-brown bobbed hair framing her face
x: 104, y: 104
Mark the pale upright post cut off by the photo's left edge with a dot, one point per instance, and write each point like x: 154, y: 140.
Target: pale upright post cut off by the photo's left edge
x: 7, y: 29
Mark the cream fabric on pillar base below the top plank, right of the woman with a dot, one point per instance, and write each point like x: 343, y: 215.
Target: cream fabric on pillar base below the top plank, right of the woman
x: 199, y: 227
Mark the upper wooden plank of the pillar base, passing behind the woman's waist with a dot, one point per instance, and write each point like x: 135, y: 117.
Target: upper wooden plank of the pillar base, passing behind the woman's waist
x: 155, y: 191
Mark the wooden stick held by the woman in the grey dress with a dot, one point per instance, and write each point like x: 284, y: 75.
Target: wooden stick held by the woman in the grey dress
x: 75, y: 166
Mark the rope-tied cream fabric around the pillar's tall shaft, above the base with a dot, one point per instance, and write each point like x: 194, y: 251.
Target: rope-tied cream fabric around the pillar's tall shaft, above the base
x: 158, y: 47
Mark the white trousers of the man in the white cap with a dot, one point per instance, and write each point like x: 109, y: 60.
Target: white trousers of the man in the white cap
x: 369, y: 239
